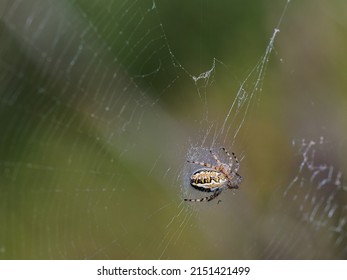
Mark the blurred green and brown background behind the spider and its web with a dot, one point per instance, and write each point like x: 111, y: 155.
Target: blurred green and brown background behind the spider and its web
x: 100, y: 110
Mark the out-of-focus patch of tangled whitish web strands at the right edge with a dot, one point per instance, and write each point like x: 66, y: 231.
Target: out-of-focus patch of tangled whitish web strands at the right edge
x: 317, y: 194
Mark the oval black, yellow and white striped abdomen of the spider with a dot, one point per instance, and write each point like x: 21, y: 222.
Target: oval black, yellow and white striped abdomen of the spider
x: 207, y: 180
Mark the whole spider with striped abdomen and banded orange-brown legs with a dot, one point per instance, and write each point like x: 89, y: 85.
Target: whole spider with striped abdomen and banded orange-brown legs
x: 215, y: 178
